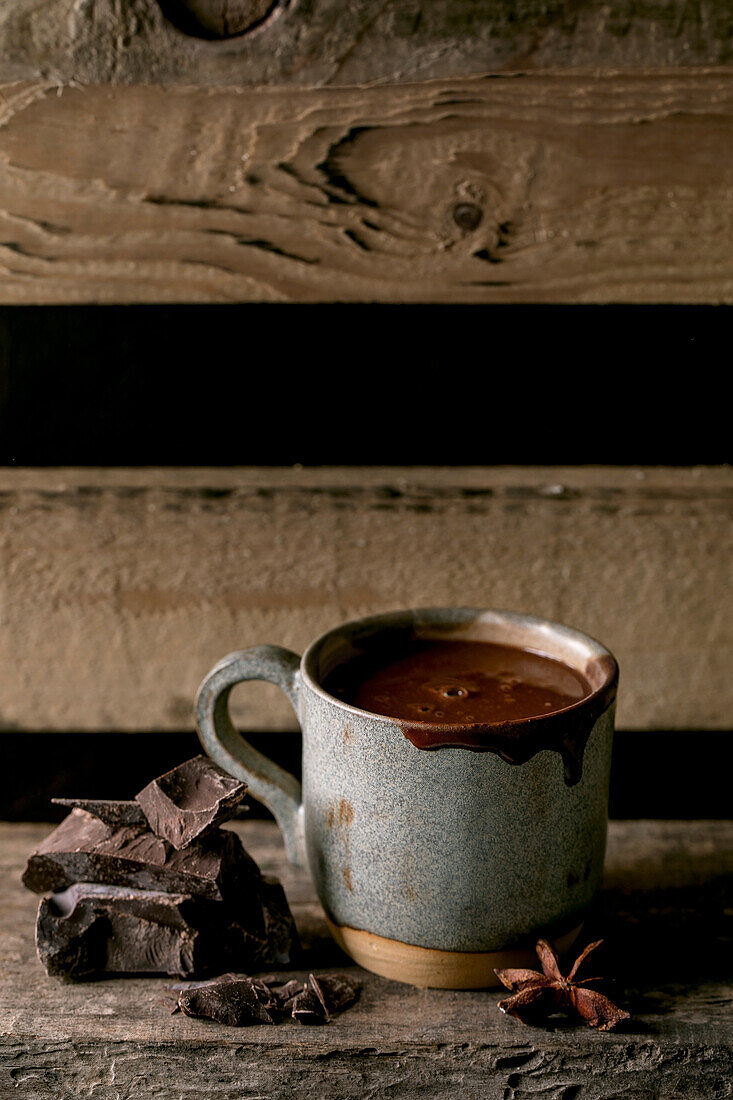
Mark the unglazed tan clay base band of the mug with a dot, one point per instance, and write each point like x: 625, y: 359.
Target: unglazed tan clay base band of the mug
x: 435, y: 970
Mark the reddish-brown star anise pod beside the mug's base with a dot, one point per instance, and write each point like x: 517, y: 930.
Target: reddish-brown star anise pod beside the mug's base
x: 537, y: 996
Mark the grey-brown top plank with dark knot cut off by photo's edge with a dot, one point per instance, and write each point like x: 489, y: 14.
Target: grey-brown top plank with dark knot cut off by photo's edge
x: 320, y: 42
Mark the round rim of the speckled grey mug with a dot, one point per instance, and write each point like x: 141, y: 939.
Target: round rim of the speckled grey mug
x: 596, y: 652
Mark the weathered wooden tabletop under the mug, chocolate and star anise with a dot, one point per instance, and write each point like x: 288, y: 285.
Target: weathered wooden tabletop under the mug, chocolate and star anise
x: 662, y: 909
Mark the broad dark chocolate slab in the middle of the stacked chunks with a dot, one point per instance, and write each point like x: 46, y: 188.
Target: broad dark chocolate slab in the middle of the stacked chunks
x: 85, y: 850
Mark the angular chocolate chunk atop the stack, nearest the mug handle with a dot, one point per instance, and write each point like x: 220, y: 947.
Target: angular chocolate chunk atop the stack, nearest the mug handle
x: 191, y: 800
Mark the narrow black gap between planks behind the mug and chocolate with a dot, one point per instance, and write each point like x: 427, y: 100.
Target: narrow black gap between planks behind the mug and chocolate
x: 659, y: 775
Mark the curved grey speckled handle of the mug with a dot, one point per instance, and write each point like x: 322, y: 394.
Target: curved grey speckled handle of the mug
x: 271, y: 785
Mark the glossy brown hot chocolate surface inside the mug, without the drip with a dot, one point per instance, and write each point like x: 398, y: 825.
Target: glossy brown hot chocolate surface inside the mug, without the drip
x: 467, y: 683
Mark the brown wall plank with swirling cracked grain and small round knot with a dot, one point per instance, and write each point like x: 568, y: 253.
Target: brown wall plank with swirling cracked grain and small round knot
x: 560, y: 188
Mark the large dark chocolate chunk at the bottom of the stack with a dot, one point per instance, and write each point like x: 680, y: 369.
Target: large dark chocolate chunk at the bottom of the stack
x: 92, y: 929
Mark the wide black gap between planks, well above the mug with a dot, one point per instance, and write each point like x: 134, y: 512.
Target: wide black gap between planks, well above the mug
x: 420, y: 386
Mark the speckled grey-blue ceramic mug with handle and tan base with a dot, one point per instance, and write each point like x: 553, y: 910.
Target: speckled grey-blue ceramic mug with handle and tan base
x: 434, y: 867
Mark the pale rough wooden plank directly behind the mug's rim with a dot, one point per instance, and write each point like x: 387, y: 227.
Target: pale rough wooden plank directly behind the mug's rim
x: 122, y: 588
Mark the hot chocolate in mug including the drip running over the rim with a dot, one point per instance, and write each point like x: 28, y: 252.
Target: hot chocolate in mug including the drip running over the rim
x: 485, y: 698
